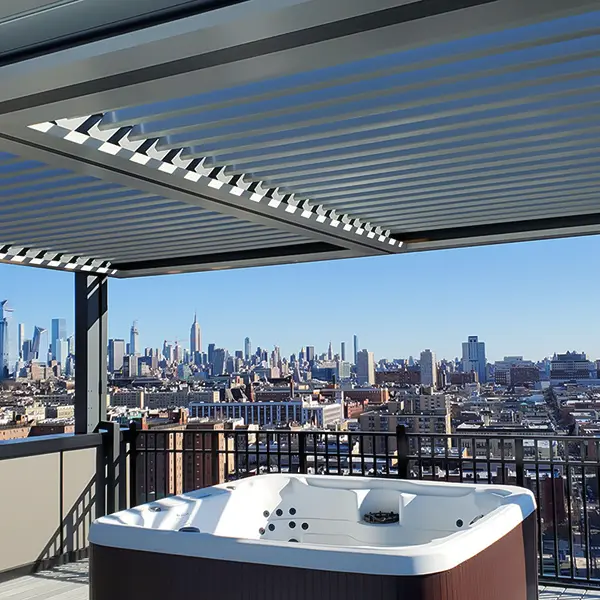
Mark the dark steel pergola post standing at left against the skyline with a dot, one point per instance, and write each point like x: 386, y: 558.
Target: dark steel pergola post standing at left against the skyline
x: 91, y: 341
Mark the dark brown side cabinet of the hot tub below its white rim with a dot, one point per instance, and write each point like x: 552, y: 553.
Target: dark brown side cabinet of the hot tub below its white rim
x: 507, y: 570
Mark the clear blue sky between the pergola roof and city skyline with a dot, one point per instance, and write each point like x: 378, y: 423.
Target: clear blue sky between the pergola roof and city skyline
x: 532, y: 299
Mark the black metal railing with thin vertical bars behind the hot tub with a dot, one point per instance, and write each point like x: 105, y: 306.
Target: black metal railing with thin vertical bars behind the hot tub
x: 562, y: 472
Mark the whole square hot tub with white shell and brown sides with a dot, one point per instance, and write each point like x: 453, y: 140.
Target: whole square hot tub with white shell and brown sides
x: 292, y: 537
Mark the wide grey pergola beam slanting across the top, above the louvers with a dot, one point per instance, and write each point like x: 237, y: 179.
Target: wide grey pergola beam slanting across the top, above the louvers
x: 249, y: 42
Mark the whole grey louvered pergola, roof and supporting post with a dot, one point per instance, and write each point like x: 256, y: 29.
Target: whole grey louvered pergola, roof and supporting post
x: 169, y: 136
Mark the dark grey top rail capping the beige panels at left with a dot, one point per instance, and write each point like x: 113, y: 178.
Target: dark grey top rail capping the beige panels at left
x: 48, y: 444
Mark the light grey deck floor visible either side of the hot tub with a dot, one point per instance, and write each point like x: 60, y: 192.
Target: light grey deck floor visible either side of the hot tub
x: 70, y: 582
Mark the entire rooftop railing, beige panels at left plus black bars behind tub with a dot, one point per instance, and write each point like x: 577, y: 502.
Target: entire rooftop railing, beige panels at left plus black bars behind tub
x: 53, y: 488
